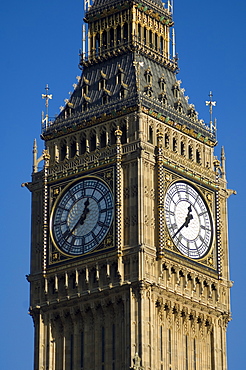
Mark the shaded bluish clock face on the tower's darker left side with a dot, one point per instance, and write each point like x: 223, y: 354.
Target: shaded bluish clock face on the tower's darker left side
x: 82, y: 216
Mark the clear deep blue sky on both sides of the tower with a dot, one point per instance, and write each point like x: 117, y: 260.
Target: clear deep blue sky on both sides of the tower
x: 40, y: 41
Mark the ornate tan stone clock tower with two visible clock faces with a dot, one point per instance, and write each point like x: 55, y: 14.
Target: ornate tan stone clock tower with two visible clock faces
x: 129, y: 246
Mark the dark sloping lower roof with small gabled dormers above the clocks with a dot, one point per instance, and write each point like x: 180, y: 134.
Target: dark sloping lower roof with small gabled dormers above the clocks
x: 154, y: 88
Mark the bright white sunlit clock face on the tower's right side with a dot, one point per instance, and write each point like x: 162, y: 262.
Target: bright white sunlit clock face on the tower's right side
x: 188, y: 220
